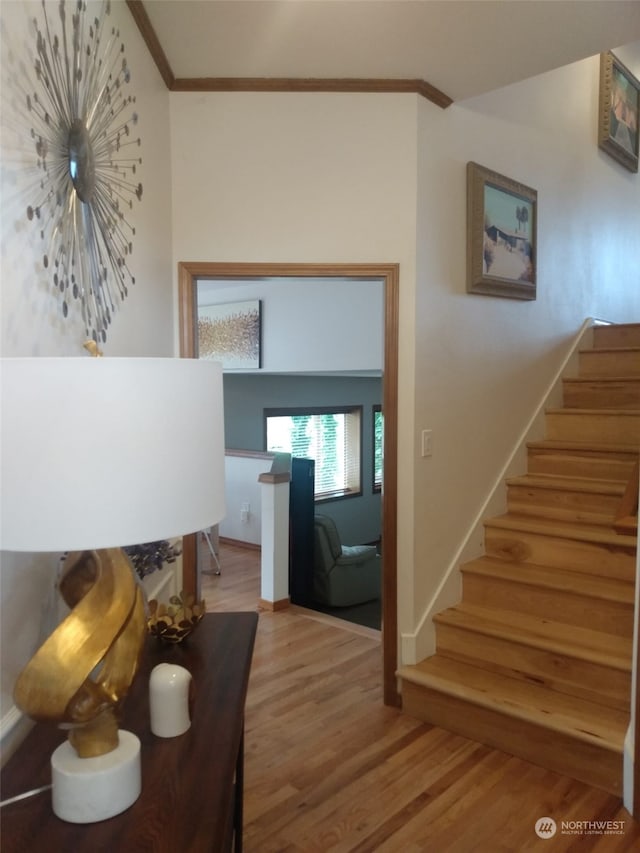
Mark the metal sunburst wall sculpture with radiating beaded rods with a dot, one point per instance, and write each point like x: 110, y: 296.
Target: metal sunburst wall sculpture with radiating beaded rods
x: 82, y: 129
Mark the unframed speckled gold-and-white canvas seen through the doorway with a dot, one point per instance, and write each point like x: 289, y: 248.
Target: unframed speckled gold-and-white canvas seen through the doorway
x: 231, y: 333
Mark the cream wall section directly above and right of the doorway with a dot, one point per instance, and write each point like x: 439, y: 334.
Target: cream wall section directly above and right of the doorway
x: 320, y: 178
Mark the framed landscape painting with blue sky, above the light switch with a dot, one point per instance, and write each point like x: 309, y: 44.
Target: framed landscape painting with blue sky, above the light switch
x: 501, y: 235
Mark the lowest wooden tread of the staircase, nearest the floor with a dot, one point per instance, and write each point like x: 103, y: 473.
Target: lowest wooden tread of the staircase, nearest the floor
x: 585, y: 721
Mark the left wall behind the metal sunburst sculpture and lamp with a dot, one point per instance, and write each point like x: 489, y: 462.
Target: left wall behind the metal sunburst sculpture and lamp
x: 31, y: 320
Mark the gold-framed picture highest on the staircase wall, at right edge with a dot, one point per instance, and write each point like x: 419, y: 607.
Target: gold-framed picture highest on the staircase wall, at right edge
x: 618, y: 113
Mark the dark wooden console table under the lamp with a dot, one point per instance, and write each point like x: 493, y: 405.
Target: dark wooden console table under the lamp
x: 191, y: 796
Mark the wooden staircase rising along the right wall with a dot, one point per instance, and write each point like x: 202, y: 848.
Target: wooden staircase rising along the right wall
x: 536, y: 659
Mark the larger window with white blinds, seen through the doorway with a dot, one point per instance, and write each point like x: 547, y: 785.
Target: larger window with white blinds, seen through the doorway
x: 331, y: 437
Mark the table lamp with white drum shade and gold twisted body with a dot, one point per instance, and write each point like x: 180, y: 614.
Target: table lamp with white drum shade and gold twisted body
x: 99, y: 454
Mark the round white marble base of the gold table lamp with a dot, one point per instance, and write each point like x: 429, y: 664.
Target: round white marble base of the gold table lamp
x: 86, y: 790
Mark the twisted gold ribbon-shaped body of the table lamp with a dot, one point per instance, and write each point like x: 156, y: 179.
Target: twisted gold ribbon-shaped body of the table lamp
x: 80, y: 675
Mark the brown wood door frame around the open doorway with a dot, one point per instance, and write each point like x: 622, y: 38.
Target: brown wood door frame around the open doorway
x: 188, y: 274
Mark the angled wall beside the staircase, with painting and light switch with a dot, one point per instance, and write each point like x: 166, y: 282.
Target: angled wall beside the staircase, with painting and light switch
x: 483, y: 362
